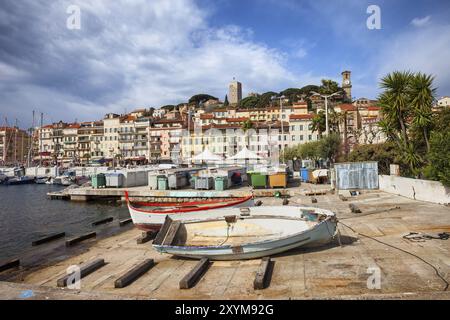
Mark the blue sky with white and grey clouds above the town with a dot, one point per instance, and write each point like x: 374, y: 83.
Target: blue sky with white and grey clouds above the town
x: 129, y: 54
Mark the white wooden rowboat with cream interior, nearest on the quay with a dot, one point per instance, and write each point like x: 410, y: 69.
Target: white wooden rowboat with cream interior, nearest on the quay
x: 247, y: 234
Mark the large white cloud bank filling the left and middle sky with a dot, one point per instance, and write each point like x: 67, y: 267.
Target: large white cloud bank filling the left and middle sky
x: 143, y: 53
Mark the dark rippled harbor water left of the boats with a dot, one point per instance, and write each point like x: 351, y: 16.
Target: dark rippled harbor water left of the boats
x: 26, y: 214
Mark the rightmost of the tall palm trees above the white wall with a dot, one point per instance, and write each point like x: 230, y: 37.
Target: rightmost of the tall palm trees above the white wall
x: 423, y: 92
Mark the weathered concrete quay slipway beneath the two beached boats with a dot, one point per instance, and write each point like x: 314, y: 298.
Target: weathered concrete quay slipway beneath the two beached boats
x: 370, y: 240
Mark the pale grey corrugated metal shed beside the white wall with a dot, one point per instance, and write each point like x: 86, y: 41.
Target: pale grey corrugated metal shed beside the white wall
x: 356, y: 175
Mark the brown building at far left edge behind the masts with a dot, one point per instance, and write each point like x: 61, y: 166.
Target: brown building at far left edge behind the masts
x: 14, y: 146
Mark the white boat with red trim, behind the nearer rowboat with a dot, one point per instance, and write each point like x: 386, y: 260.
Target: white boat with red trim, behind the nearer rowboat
x: 150, y: 216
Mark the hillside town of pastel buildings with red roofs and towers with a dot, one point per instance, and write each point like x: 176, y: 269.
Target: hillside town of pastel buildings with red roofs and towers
x: 174, y: 135
